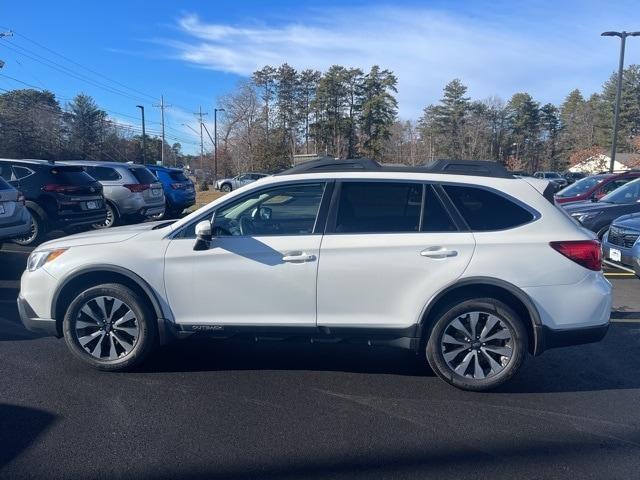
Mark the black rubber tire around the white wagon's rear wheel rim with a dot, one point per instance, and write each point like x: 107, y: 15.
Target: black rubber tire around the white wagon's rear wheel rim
x: 509, y: 321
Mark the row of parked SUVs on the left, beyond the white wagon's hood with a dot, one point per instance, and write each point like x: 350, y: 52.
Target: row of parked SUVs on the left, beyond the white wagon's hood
x: 79, y: 195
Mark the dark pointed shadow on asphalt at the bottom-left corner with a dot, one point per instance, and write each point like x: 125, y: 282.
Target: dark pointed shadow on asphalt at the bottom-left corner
x: 19, y: 428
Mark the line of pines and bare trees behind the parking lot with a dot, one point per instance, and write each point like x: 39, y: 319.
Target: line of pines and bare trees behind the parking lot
x: 280, y: 112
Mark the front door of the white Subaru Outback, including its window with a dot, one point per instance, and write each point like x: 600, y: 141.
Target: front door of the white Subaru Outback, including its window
x: 261, y: 266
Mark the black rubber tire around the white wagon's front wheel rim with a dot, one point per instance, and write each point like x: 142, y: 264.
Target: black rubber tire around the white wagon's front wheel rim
x: 145, y: 323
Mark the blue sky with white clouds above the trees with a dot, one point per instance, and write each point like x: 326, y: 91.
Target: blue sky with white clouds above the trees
x: 128, y: 53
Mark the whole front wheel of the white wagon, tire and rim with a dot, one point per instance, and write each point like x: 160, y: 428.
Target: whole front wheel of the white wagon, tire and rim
x: 110, y: 327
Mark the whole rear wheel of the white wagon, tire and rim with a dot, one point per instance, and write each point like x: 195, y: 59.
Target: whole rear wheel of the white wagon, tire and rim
x: 477, y: 345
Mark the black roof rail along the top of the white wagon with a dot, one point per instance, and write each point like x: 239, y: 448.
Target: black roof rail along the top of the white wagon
x: 482, y: 168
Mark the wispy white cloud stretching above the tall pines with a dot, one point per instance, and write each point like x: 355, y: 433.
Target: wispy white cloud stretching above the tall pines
x: 425, y: 48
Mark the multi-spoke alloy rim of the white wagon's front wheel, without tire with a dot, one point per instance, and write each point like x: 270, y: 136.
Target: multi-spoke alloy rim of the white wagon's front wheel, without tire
x: 106, y: 328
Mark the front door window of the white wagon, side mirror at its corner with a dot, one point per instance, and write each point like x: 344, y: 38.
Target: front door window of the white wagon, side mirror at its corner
x: 283, y: 210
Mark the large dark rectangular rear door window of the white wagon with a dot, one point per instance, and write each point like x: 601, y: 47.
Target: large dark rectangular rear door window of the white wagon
x: 379, y: 207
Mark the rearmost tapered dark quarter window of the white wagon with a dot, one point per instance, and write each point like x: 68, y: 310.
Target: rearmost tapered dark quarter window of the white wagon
x: 484, y: 210
